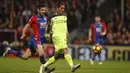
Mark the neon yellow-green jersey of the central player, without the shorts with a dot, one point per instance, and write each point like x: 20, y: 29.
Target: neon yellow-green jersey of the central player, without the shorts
x: 58, y: 24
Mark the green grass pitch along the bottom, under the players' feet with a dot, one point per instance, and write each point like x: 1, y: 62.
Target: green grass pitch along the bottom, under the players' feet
x: 16, y: 65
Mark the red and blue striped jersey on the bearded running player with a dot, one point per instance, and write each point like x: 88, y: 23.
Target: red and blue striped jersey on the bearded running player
x: 38, y: 24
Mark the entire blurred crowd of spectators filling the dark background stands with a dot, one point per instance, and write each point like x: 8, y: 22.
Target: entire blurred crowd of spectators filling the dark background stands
x: 78, y: 11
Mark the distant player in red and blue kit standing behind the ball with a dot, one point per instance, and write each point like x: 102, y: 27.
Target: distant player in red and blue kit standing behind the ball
x: 96, y: 33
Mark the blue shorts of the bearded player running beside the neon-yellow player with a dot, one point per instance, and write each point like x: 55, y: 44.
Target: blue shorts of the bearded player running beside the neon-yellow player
x: 32, y: 45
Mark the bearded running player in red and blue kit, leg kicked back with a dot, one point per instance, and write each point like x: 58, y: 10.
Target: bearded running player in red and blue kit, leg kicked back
x: 38, y: 23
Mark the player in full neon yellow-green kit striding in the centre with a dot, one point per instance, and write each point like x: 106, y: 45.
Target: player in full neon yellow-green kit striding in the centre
x: 58, y: 26
